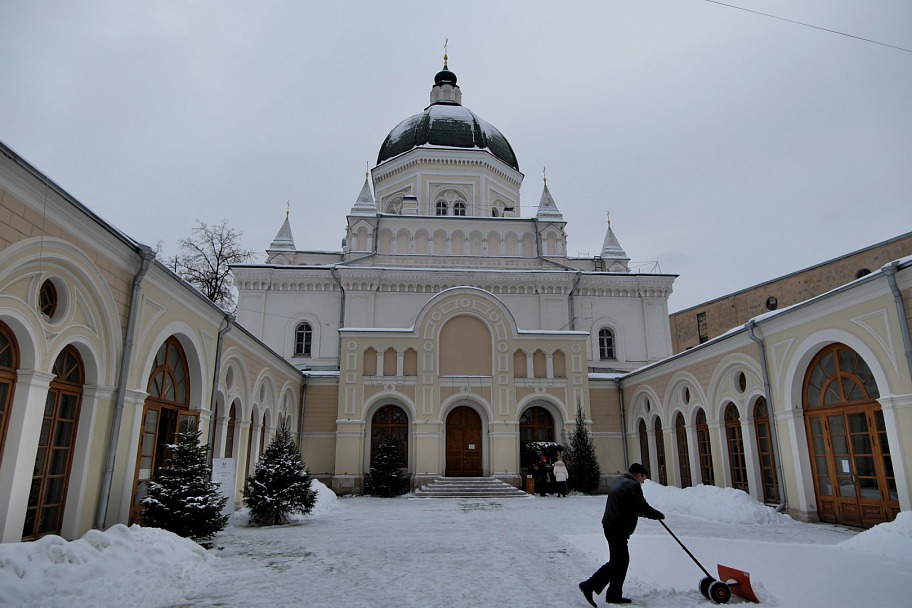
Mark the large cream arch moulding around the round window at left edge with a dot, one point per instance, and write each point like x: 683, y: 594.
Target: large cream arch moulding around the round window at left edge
x: 89, y: 316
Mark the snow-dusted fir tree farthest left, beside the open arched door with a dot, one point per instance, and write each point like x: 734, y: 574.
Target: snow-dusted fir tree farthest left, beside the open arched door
x: 183, y: 498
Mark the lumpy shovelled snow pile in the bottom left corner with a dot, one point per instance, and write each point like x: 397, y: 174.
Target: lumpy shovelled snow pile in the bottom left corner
x: 122, y: 566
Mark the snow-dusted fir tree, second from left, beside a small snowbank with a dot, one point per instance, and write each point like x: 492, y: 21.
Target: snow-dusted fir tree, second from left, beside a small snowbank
x: 280, y: 484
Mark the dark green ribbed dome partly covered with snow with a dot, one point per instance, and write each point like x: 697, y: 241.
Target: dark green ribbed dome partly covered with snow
x: 447, y: 125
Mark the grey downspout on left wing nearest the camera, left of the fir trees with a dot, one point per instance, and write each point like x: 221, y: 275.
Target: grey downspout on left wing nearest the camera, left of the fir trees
x: 146, y: 256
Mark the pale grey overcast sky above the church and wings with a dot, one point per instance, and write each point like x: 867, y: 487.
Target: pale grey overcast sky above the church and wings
x: 729, y: 147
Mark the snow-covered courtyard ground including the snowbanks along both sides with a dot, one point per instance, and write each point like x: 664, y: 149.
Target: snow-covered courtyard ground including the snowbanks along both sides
x: 407, y: 552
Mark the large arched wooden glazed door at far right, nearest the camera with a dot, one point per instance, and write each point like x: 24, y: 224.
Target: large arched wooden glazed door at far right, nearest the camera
x: 850, y: 457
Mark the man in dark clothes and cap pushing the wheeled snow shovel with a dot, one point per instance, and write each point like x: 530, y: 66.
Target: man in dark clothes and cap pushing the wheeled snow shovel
x: 624, y: 505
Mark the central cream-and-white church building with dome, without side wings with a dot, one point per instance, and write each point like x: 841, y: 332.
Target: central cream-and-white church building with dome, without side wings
x: 447, y: 319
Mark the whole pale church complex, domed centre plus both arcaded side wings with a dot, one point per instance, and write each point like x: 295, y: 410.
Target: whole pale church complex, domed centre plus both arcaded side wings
x: 447, y: 321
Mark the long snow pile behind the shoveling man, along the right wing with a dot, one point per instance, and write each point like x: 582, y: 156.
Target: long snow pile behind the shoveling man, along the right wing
x: 726, y: 505
